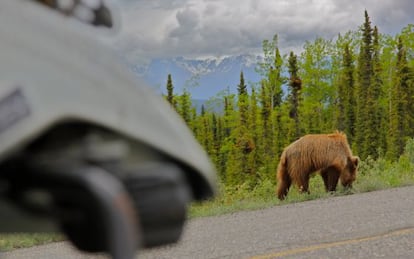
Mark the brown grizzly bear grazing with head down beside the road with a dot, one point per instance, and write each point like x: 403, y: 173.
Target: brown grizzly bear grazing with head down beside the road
x: 329, y: 154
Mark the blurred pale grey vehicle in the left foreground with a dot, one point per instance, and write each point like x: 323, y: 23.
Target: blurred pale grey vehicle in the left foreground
x: 85, y: 148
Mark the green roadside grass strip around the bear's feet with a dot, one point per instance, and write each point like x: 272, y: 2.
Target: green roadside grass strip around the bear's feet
x: 372, y: 175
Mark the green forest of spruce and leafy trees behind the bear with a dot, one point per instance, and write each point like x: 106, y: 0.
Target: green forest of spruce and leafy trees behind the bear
x: 360, y: 83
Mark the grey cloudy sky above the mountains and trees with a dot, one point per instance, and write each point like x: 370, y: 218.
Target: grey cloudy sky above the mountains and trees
x: 206, y: 28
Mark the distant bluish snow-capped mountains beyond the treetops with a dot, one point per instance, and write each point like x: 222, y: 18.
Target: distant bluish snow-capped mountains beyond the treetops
x: 203, y: 78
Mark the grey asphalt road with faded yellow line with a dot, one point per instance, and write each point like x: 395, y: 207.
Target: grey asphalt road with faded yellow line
x: 370, y: 225
